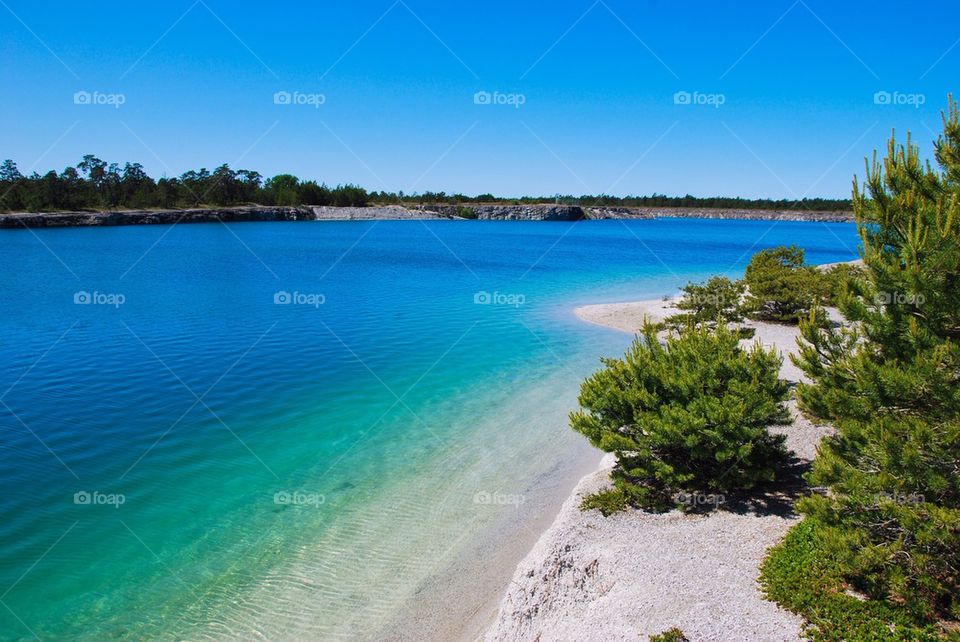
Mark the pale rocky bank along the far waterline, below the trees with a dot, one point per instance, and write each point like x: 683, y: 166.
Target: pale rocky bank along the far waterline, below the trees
x: 539, y: 212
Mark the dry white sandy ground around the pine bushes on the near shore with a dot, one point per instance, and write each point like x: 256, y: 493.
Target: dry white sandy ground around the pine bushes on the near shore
x: 635, y: 574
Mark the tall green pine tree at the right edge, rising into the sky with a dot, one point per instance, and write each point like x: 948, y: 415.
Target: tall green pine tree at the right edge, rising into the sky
x: 889, y: 383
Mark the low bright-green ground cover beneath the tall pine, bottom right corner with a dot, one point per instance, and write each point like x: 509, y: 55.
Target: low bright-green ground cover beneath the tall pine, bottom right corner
x: 803, y: 576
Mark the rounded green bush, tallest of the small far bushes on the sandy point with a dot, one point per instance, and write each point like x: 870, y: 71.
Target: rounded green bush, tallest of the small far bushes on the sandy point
x: 781, y: 288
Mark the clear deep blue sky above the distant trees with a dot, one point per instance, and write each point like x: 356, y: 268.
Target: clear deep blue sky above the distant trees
x: 778, y: 99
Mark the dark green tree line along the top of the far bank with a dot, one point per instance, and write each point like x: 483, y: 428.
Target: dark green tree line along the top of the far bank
x: 96, y: 184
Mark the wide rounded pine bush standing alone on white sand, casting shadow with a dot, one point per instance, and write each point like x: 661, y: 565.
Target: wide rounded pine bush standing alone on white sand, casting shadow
x: 690, y: 415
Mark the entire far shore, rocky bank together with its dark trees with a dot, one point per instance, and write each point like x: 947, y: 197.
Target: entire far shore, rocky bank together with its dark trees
x: 99, y: 193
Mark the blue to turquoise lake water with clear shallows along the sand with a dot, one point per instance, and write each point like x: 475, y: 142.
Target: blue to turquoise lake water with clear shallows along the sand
x: 184, y: 457
